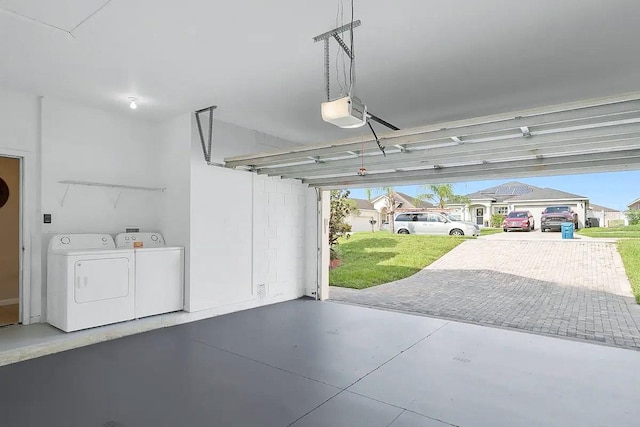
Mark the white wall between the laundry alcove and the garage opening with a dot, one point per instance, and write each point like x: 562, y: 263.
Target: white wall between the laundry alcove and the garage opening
x: 247, y: 231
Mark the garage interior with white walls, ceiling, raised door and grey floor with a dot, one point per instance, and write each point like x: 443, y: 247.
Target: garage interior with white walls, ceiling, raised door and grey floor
x: 477, y: 90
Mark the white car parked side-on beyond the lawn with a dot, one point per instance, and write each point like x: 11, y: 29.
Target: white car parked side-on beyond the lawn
x: 432, y: 223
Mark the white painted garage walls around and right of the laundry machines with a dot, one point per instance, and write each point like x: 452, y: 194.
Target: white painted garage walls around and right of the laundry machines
x: 240, y: 230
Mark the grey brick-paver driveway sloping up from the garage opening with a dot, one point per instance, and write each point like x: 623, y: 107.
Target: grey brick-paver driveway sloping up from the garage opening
x: 536, y: 282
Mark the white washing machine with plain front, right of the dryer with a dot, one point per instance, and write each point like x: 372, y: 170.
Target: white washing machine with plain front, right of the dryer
x: 159, y: 273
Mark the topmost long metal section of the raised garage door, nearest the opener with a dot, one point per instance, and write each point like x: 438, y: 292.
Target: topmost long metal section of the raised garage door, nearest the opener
x: 596, y: 111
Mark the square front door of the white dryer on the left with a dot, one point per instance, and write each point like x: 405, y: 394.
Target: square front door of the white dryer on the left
x: 101, y: 279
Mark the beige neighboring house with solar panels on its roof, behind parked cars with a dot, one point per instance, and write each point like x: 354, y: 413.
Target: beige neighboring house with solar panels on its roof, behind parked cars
x: 516, y: 196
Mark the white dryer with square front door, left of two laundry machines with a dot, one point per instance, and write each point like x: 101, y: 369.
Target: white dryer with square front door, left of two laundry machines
x: 89, y: 282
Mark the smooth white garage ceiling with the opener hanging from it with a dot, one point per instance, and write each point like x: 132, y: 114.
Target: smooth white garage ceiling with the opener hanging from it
x: 419, y: 61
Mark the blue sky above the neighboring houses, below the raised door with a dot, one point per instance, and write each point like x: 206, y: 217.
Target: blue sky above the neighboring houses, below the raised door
x: 612, y: 189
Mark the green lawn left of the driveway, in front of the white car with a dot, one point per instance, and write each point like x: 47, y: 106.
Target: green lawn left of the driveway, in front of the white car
x: 370, y: 259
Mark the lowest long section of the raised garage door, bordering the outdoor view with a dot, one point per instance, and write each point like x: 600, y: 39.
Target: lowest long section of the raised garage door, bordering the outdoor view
x: 620, y: 160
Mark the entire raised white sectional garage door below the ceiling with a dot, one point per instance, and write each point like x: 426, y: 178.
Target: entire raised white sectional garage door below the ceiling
x: 585, y: 137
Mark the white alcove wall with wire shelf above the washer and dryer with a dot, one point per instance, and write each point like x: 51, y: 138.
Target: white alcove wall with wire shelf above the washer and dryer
x: 85, y: 144
